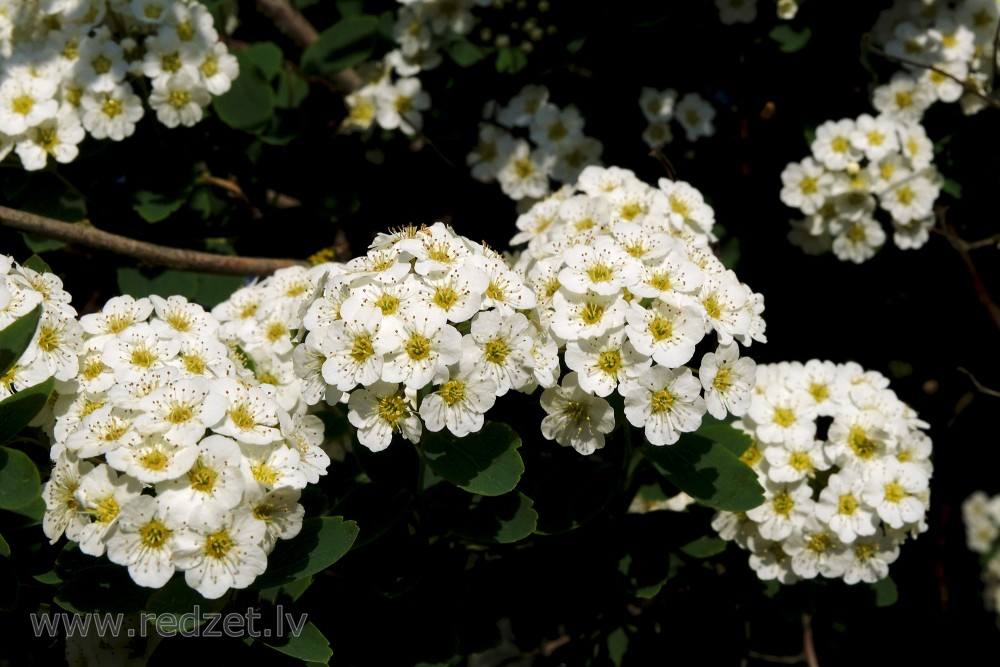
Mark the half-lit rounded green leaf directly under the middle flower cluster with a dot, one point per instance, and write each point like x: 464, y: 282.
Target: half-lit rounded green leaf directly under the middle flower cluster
x: 486, y: 462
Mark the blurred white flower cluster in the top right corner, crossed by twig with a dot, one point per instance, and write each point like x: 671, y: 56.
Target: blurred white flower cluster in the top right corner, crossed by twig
x: 955, y: 39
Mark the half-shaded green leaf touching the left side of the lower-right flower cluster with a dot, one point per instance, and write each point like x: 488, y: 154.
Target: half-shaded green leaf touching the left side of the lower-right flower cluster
x: 709, y: 472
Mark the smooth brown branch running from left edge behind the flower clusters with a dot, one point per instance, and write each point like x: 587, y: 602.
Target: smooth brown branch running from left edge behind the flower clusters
x: 173, y: 258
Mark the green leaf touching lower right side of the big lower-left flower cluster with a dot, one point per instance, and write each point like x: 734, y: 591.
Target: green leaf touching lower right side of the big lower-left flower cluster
x: 321, y: 543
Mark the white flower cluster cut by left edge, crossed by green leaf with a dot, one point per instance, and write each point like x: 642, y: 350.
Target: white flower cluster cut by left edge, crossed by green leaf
x: 54, y: 349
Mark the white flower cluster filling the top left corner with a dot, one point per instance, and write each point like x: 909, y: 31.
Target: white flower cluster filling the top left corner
x: 65, y: 68
